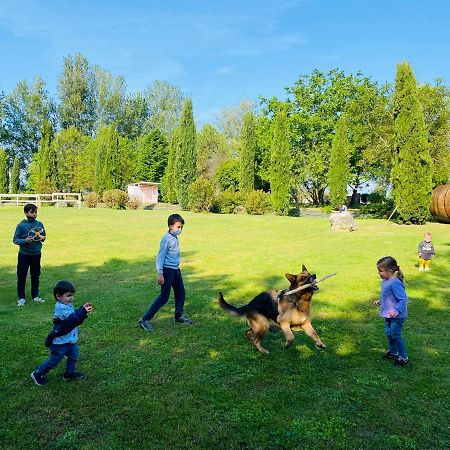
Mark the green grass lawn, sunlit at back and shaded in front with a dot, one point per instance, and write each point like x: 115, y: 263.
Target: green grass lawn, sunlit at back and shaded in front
x: 205, y: 386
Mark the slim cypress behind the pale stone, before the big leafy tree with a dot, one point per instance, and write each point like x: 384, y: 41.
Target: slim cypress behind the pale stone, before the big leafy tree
x: 339, y: 174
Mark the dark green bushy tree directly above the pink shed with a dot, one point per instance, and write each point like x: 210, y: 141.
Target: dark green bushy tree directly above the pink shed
x: 152, y: 156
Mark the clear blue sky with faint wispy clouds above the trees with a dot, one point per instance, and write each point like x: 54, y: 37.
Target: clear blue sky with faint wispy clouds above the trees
x: 220, y: 53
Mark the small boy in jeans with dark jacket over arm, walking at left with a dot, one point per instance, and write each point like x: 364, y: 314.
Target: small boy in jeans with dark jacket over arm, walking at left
x: 62, y: 340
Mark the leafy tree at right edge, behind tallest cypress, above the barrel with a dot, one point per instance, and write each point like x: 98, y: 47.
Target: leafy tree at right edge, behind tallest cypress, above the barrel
x: 435, y: 101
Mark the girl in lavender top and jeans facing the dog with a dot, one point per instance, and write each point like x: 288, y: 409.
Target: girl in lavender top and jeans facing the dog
x: 393, y: 307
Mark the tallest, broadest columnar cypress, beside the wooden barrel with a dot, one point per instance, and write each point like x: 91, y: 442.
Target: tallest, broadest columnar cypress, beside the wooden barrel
x: 411, y: 171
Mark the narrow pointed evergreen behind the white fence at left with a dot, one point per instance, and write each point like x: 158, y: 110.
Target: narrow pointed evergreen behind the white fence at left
x: 47, y: 174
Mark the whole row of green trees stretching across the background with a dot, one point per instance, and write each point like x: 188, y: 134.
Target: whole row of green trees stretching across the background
x: 332, y: 131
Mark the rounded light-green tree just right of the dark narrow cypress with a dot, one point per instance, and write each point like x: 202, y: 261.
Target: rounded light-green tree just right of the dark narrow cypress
x: 211, y: 151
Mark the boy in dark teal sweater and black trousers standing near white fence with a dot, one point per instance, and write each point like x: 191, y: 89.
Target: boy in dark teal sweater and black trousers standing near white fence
x: 29, y: 236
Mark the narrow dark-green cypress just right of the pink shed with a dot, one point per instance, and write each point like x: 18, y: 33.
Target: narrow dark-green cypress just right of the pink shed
x: 185, y: 161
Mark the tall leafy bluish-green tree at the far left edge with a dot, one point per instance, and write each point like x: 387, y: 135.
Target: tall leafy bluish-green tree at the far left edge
x: 23, y: 114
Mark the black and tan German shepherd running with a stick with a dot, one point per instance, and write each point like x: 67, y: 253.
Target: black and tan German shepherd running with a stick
x: 287, y: 311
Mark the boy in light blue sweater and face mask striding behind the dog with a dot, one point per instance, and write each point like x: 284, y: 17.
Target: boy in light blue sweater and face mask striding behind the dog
x: 169, y: 275
